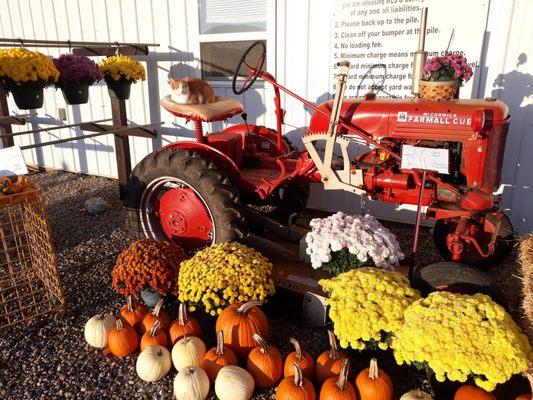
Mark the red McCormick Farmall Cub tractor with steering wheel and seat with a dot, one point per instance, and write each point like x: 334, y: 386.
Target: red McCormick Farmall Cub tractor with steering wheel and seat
x: 194, y: 192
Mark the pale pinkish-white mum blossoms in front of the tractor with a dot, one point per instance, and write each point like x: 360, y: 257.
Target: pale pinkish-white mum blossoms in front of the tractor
x: 363, y: 236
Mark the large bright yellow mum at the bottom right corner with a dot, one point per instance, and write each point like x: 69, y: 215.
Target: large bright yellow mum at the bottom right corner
x: 461, y: 336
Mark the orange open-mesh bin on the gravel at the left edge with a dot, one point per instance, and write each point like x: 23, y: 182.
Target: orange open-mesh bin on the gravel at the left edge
x: 29, y: 281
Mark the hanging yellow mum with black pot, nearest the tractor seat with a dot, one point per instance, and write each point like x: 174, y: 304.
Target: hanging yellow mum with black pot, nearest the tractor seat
x: 119, y: 73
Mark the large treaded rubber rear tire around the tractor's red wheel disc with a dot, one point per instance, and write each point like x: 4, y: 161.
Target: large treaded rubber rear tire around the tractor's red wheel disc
x: 201, y: 175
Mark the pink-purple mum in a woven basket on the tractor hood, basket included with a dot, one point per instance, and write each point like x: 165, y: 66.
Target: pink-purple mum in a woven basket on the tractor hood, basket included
x: 443, y: 76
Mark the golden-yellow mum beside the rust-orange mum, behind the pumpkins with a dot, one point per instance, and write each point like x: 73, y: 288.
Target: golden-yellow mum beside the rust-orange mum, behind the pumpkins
x: 224, y: 274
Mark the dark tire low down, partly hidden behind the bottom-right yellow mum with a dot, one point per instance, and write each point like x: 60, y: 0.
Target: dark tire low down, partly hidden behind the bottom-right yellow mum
x: 457, y: 278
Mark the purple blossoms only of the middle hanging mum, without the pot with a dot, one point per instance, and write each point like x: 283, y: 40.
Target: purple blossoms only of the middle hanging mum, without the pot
x: 76, y: 69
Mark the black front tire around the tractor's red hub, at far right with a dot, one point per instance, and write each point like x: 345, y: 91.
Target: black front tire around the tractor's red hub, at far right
x: 502, y: 248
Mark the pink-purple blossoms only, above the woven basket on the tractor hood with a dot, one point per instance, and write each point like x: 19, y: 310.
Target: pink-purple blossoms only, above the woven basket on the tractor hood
x: 452, y: 67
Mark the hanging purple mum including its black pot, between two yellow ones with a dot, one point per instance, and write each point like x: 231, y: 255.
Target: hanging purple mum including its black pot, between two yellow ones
x: 76, y: 74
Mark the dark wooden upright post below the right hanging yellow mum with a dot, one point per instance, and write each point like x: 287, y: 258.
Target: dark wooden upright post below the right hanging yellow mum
x: 122, y: 145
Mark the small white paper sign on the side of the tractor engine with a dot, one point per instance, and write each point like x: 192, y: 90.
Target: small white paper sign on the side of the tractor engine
x: 425, y: 158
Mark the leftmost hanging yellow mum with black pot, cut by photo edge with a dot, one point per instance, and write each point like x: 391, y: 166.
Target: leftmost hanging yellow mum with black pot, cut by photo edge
x: 25, y: 74
